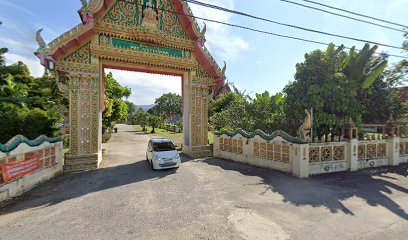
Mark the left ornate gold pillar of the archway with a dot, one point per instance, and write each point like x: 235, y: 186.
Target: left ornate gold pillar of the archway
x: 83, y: 92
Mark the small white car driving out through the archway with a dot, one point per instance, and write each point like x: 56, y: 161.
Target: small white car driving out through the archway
x: 162, y: 154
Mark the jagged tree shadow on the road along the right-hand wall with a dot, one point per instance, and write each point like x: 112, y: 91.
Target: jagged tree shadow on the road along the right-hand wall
x: 328, y: 190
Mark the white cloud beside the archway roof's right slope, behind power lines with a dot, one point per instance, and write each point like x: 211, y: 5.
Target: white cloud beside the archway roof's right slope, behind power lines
x: 219, y: 37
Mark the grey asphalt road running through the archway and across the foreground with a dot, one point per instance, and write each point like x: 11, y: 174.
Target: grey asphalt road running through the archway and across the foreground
x: 207, y: 199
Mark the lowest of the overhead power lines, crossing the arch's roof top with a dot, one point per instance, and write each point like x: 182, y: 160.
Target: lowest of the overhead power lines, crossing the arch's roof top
x: 256, y: 30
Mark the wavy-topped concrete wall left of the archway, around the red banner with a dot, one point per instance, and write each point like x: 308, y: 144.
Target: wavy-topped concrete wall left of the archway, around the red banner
x: 52, y: 165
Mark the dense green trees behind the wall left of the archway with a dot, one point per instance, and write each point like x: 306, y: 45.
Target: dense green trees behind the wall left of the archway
x: 28, y: 106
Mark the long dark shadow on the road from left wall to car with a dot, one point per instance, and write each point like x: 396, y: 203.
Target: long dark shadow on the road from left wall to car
x: 73, y: 185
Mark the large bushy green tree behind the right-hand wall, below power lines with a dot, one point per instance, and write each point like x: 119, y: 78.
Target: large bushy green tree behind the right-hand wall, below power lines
x: 333, y: 83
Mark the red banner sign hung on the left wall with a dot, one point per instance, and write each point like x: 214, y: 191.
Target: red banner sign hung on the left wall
x: 12, y: 171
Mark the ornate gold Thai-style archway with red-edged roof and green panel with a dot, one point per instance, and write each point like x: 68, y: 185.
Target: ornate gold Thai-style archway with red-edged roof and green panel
x: 156, y: 36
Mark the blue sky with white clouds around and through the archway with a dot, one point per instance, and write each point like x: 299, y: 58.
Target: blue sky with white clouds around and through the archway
x: 256, y: 62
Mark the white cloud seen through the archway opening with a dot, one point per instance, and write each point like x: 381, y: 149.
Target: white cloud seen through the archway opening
x: 146, y: 87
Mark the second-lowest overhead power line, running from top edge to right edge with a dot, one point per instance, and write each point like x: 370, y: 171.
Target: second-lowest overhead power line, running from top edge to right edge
x: 289, y: 25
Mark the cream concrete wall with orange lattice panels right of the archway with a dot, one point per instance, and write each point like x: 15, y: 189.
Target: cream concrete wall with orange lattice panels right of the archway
x: 303, y: 160
